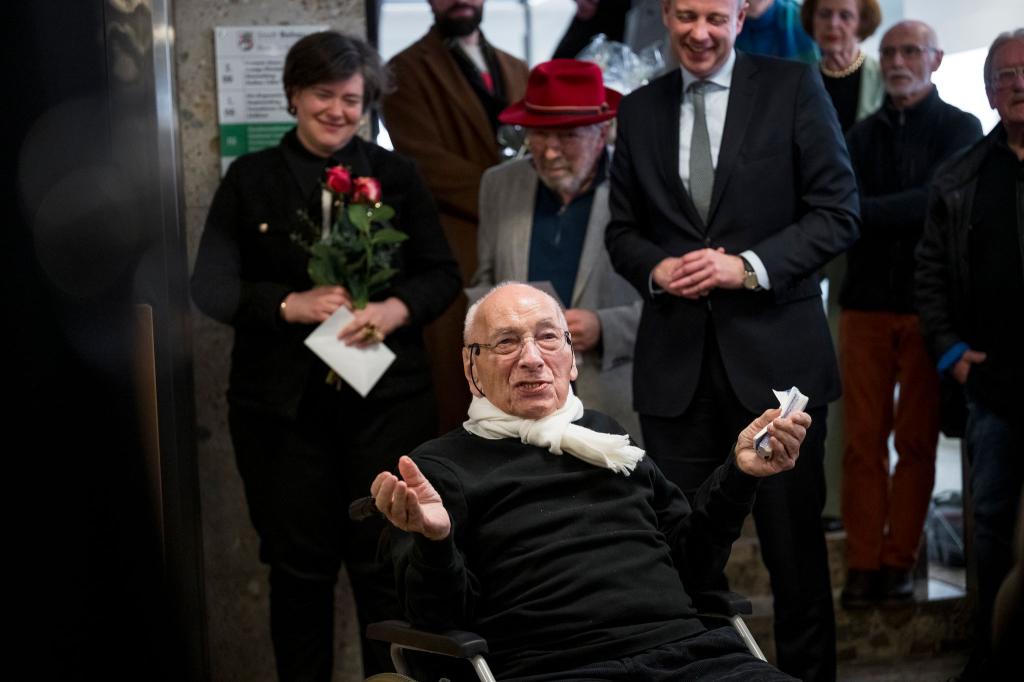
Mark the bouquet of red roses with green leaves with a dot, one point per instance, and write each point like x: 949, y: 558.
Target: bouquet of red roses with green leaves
x: 357, y: 249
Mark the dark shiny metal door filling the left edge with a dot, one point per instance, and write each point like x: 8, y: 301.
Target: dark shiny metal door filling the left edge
x: 101, y: 445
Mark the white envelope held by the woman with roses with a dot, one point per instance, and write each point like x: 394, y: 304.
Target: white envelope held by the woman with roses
x: 361, y: 368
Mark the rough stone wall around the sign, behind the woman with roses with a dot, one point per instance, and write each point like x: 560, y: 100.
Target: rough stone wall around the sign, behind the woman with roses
x: 236, y: 582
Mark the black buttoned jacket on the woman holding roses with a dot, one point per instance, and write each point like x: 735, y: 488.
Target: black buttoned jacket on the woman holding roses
x: 248, y: 264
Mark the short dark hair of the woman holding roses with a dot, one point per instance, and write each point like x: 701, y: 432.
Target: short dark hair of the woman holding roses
x: 329, y: 57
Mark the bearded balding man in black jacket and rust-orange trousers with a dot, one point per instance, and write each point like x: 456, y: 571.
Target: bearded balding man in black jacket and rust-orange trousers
x: 894, y: 153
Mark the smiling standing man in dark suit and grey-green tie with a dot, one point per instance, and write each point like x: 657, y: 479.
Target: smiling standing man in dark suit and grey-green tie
x: 731, y: 188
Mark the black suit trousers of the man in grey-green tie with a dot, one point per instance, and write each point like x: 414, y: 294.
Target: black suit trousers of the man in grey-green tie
x: 788, y: 511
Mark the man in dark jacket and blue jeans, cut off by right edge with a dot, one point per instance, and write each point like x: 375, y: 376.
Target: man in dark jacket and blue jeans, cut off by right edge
x: 970, y: 284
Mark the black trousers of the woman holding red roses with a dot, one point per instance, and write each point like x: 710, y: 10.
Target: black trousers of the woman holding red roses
x: 300, y: 479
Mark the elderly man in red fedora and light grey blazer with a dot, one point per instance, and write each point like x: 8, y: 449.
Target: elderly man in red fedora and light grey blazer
x: 543, y: 219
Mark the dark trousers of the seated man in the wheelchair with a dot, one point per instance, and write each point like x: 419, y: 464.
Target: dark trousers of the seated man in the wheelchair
x: 714, y: 656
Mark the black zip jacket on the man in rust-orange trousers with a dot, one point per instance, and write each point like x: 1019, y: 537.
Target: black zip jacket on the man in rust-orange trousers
x: 894, y: 155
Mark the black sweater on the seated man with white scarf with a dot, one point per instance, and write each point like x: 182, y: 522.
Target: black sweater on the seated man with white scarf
x: 558, y: 563
